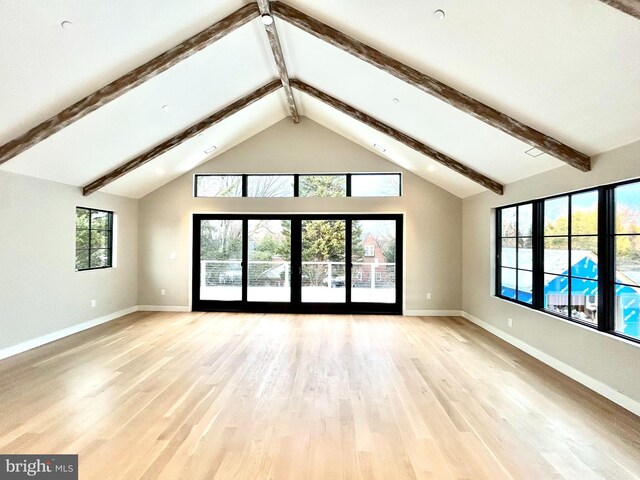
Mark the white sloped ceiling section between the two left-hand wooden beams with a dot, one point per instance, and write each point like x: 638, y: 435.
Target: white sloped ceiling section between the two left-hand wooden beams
x: 131, y: 124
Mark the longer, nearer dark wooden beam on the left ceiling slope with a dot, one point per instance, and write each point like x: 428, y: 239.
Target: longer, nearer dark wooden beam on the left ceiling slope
x: 127, y: 82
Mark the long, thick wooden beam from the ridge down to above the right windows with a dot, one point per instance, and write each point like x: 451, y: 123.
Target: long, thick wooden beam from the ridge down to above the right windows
x: 433, y: 87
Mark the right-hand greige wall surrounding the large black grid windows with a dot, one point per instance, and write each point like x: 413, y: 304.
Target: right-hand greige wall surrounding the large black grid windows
x: 609, y: 360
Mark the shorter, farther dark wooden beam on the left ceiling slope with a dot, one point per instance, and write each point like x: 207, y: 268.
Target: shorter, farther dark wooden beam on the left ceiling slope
x: 182, y: 137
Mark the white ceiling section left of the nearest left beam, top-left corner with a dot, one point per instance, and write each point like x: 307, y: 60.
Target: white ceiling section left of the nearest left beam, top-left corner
x: 44, y: 68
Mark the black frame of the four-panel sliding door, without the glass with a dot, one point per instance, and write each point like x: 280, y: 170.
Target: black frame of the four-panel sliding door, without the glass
x: 295, y: 305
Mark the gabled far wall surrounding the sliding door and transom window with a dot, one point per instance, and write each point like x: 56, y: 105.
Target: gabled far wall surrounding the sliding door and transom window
x: 432, y: 215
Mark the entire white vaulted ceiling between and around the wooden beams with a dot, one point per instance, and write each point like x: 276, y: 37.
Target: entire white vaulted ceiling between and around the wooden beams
x: 569, y: 69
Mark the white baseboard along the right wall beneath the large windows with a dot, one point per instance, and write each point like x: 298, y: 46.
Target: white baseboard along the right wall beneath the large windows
x: 580, y: 377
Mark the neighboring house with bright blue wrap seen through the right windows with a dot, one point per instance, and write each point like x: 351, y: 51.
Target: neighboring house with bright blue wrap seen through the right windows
x: 584, y: 290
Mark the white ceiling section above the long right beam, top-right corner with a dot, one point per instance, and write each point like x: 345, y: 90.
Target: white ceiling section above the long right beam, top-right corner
x: 568, y: 68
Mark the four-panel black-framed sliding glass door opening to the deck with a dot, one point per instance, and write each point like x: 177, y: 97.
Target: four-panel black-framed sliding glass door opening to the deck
x: 298, y: 263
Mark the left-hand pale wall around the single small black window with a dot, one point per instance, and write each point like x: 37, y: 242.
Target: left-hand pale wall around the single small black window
x: 40, y: 291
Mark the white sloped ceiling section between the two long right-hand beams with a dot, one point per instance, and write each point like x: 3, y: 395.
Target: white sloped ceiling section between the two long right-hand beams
x: 425, y: 118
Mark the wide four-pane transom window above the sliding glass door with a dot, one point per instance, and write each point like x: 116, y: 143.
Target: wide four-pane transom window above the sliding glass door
x: 298, y: 185
